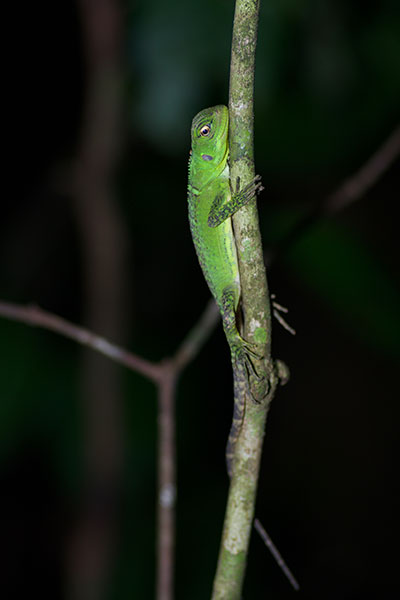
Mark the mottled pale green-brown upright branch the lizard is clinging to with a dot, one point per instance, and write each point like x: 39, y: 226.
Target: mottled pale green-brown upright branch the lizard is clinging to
x: 239, y: 515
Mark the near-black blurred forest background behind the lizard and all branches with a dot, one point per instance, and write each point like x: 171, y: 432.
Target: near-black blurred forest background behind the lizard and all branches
x: 327, y: 95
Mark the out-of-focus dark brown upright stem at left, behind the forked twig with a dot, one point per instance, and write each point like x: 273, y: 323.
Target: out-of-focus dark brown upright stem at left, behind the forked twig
x: 103, y: 241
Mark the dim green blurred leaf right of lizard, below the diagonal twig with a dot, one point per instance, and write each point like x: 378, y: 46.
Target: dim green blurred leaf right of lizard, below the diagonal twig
x: 334, y: 262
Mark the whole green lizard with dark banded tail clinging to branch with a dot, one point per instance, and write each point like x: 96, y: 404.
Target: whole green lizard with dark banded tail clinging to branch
x: 211, y: 205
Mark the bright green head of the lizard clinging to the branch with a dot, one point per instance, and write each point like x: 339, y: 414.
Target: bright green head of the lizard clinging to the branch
x: 210, y: 134
